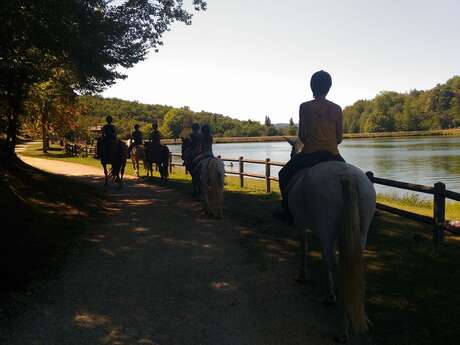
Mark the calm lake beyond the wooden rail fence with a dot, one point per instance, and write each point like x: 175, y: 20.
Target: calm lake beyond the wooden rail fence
x: 422, y: 160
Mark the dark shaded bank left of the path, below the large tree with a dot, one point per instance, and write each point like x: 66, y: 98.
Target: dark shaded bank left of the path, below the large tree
x: 41, y: 216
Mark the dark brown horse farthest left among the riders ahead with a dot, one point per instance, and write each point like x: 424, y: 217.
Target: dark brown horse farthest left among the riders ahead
x: 115, y: 153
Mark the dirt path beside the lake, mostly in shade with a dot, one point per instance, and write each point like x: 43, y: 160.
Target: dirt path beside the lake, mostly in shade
x: 156, y: 272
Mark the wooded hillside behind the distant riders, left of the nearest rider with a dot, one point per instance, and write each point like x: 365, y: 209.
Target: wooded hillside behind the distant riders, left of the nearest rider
x: 172, y: 121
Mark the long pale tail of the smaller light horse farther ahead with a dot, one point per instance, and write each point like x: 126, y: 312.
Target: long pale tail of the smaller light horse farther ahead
x: 216, y: 177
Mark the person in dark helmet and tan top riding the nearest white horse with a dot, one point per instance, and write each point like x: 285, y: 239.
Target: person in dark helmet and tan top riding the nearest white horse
x: 320, y: 130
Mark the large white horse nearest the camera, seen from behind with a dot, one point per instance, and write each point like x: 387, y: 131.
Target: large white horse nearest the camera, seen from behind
x: 336, y: 201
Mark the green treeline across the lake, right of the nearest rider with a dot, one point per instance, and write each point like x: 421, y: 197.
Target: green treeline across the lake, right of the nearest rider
x: 437, y: 108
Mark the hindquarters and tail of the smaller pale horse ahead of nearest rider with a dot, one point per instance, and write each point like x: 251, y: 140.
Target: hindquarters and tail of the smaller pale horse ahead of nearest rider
x: 212, y: 178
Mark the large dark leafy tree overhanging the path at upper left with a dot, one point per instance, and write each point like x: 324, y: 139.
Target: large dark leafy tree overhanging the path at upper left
x: 93, y: 39
